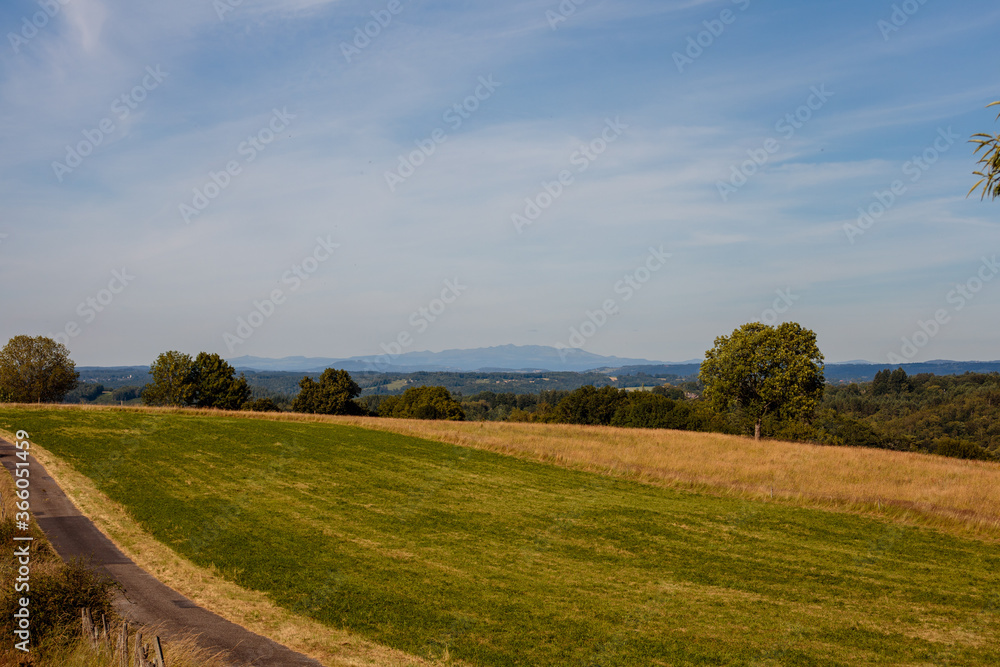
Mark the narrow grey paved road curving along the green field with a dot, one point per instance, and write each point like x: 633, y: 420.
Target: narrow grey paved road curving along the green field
x: 148, y: 601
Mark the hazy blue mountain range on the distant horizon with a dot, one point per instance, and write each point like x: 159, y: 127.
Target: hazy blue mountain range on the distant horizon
x: 523, y: 358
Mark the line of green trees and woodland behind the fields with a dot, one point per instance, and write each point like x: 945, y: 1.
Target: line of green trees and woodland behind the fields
x: 765, y: 381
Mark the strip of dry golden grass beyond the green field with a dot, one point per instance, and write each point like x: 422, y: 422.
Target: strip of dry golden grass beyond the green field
x: 952, y: 494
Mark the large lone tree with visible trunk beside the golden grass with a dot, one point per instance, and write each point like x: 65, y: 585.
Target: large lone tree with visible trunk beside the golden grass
x: 765, y: 370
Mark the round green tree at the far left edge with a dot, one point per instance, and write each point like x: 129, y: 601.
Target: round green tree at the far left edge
x: 36, y: 370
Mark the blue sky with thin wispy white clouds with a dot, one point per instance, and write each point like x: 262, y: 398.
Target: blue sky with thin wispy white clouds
x: 634, y: 178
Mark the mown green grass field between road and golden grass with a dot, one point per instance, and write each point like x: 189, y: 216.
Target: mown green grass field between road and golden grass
x: 431, y: 548
